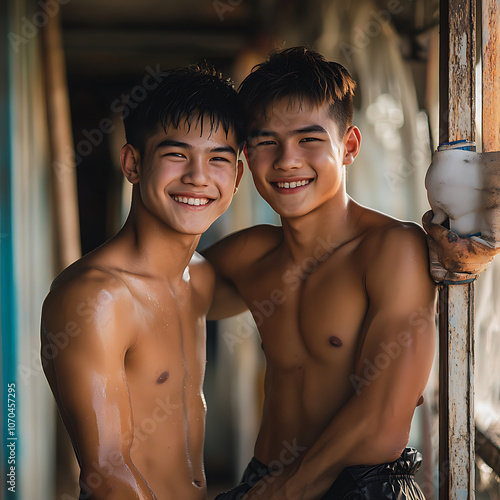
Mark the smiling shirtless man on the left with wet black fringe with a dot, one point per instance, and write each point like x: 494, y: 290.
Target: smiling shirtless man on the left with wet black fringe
x: 128, y: 382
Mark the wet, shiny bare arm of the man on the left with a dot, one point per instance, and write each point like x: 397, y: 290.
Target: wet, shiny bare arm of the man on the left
x: 87, y: 376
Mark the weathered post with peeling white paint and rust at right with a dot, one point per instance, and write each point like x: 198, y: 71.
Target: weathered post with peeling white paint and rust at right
x: 456, y: 302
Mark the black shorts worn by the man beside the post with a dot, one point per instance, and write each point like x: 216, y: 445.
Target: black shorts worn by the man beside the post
x: 392, y: 481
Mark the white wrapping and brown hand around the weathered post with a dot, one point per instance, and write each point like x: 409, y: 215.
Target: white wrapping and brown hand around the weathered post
x: 464, y: 187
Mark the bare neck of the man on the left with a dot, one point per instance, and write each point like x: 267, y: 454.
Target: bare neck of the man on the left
x: 155, y: 248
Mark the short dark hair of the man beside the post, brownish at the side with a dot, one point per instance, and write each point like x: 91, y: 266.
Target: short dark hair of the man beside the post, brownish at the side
x: 303, y: 74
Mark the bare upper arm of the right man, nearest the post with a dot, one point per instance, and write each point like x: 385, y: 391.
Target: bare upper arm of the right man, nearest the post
x: 399, y: 332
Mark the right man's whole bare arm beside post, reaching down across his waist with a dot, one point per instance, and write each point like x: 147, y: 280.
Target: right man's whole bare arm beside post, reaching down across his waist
x: 392, y: 369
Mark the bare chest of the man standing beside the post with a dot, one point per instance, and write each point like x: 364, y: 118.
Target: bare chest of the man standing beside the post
x: 310, y: 312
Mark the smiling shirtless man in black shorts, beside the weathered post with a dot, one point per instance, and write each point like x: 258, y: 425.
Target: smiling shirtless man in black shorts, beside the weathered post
x: 348, y: 333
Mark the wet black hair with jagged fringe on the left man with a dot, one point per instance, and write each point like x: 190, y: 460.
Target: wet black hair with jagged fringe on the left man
x: 184, y: 95
